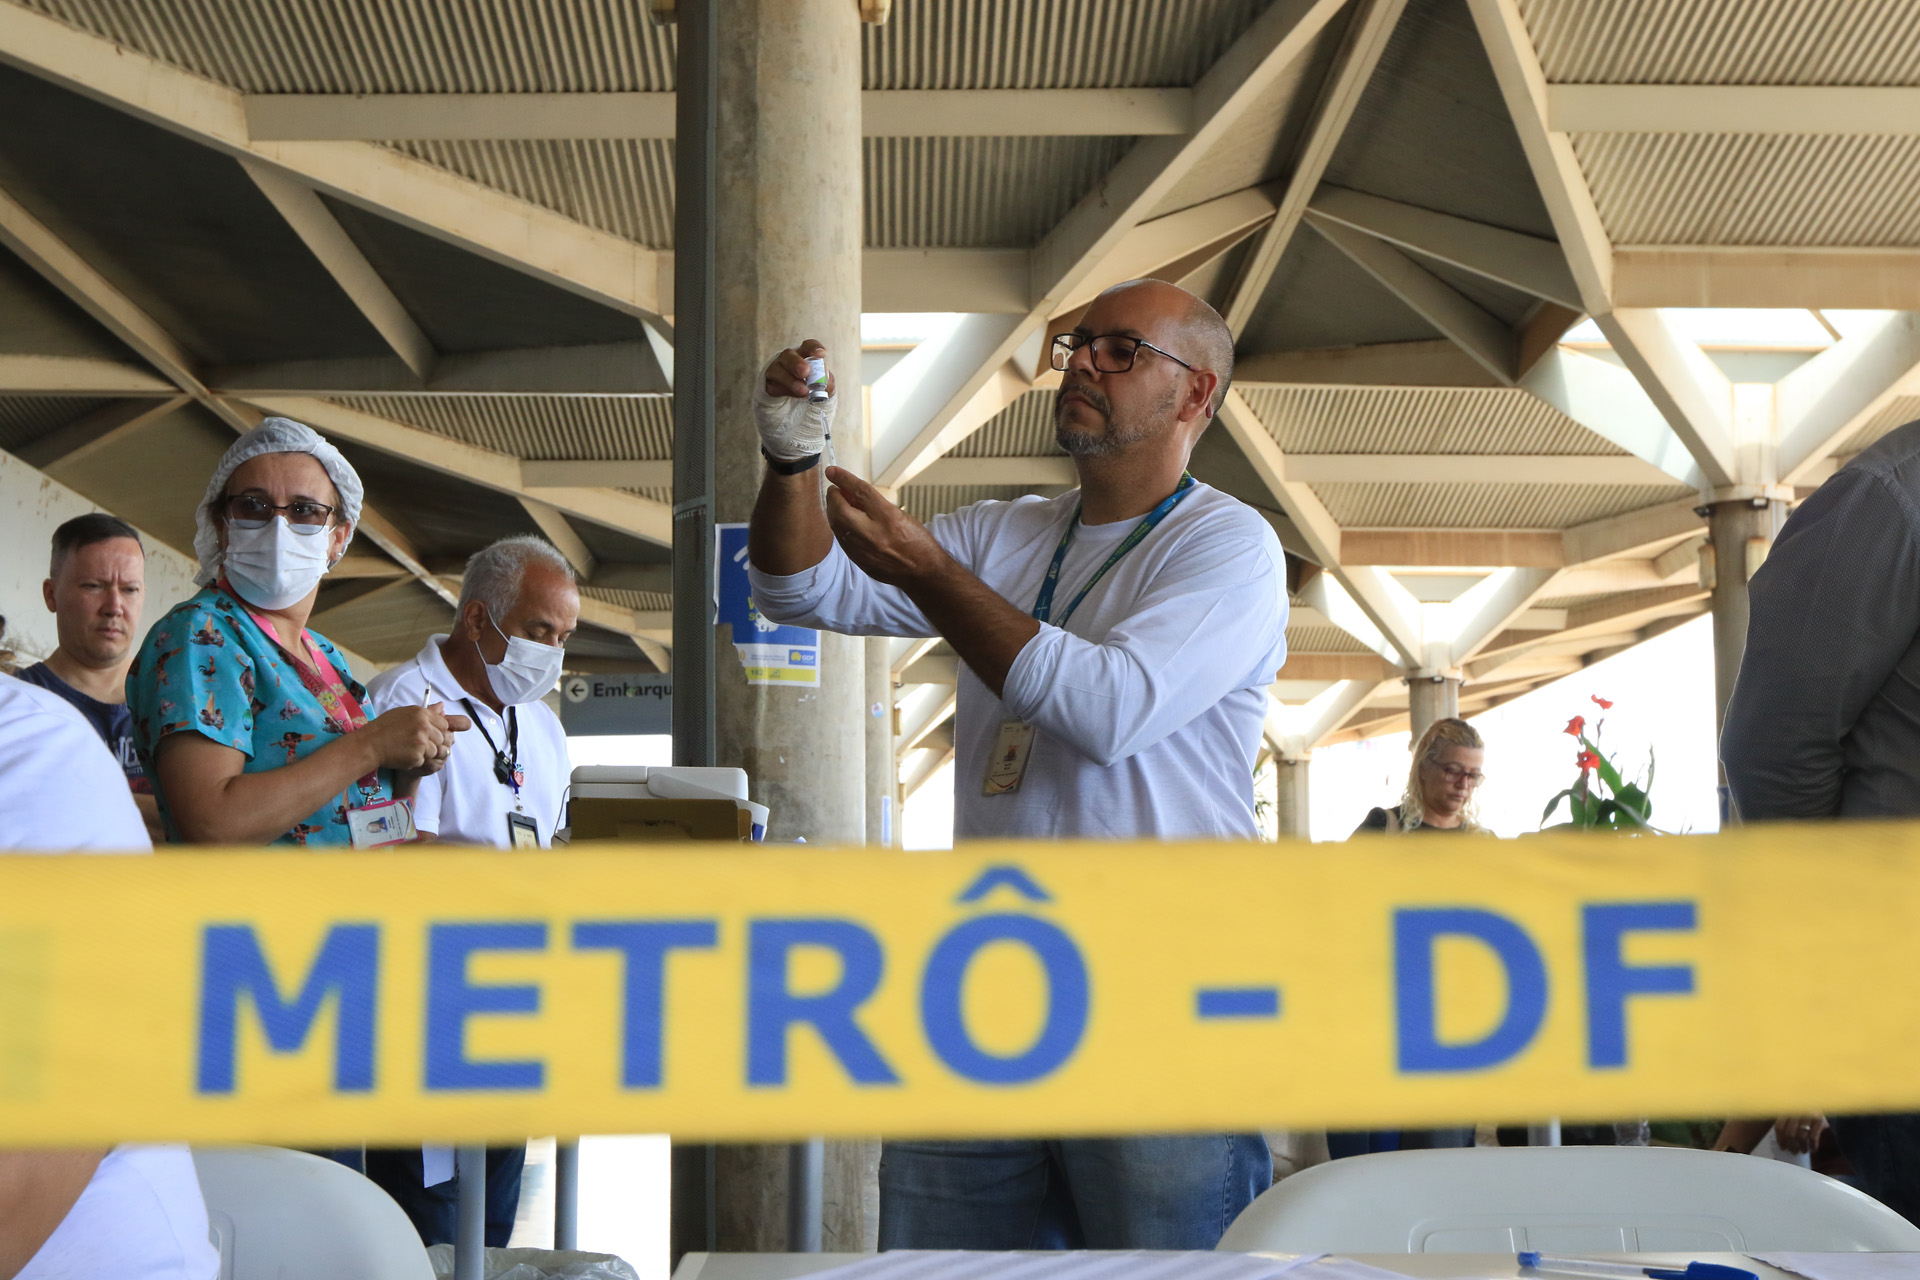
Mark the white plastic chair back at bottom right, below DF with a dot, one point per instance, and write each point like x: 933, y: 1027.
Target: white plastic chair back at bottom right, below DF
x: 1566, y: 1200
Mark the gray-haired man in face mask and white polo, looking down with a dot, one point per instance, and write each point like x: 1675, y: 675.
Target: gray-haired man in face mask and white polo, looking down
x: 504, y: 786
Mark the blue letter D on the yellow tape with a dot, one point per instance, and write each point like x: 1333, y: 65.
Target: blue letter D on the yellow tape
x: 1416, y: 932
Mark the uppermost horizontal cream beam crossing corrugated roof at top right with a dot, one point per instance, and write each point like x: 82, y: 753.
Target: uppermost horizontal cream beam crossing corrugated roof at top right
x: 1829, y: 110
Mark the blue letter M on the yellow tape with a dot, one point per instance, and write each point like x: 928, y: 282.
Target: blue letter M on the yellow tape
x: 347, y: 968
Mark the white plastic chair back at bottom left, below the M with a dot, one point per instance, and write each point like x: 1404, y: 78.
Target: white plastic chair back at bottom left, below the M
x: 289, y: 1216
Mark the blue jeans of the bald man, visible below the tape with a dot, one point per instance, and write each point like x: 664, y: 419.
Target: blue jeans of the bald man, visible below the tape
x: 1070, y: 1195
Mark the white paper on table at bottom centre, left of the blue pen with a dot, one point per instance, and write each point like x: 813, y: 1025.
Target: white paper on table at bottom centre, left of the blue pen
x: 1086, y: 1266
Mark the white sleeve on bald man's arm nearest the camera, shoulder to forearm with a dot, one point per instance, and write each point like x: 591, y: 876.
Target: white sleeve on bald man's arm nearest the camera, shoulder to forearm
x: 1209, y: 627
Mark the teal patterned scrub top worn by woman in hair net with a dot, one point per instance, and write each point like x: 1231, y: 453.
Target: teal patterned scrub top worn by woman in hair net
x: 208, y: 669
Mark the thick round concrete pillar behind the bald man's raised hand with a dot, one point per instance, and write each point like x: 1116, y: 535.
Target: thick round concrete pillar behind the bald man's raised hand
x: 788, y: 268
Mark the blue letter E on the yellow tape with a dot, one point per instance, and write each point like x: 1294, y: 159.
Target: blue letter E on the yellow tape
x: 452, y: 1001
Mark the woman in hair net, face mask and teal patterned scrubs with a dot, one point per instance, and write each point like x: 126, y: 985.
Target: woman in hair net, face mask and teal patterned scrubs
x: 251, y: 726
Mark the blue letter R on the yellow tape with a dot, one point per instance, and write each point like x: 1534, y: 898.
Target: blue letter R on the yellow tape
x: 773, y: 1008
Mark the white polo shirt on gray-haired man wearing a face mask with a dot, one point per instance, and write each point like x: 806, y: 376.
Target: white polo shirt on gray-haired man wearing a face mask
x: 466, y: 801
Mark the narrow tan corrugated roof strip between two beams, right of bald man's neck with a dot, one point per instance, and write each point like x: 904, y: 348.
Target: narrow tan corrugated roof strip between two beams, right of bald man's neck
x: 1485, y: 506
